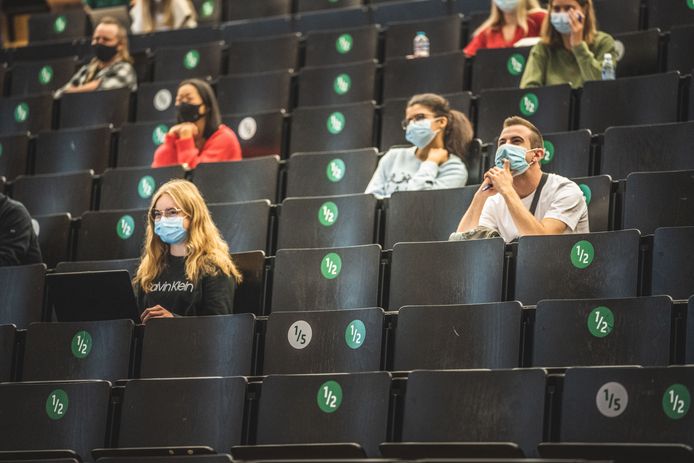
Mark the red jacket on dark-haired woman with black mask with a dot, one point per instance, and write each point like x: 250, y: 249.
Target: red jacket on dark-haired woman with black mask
x: 221, y: 146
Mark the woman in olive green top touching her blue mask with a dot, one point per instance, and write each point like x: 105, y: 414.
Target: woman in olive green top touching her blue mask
x: 571, y: 49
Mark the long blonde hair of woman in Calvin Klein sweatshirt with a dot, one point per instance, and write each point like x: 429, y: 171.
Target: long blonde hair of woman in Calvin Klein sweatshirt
x: 207, y: 253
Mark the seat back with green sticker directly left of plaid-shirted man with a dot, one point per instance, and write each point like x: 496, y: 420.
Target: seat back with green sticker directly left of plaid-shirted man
x: 43, y: 76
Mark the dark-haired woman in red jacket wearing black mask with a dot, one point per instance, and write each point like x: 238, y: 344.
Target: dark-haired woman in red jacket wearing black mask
x: 199, y: 135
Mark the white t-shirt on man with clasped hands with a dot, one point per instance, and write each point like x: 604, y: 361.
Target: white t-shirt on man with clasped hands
x: 561, y: 199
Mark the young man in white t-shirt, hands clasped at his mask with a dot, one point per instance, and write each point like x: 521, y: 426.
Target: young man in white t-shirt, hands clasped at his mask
x: 506, y: 197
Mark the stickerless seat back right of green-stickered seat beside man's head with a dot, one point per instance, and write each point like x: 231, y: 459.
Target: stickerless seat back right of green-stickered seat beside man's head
x: 647, y: 148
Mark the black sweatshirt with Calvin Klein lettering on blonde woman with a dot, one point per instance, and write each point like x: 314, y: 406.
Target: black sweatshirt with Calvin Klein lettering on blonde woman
x: 213, y: 295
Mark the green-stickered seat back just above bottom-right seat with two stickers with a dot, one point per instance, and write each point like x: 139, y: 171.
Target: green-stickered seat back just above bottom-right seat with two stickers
x: 585, y: 332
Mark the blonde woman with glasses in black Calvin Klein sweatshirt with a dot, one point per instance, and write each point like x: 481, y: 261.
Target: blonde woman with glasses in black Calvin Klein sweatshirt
x: 186, y: 268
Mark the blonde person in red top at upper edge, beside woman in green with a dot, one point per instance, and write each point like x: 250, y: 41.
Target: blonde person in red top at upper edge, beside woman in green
x: 509, y: 21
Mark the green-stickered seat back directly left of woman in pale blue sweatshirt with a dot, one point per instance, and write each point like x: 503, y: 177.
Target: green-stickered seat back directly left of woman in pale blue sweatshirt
x: 330, y: 173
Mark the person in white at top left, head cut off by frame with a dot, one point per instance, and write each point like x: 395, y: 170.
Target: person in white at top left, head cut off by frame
x: 162, y: 15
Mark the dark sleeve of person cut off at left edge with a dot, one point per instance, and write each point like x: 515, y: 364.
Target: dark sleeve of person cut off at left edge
x: 18, y: 242
